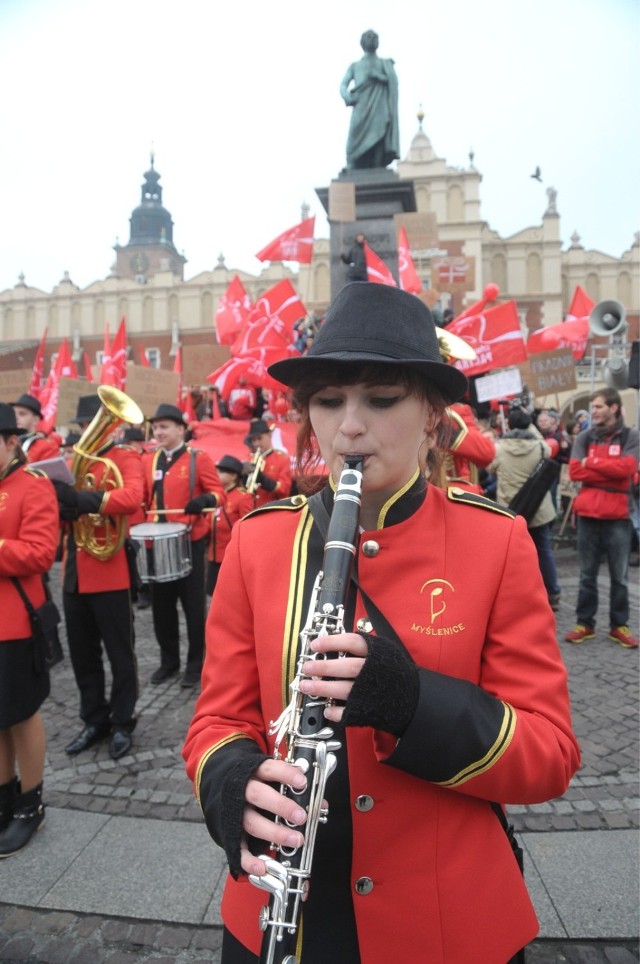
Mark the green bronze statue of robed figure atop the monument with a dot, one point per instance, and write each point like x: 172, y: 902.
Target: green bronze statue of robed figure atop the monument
x: 370, y: 86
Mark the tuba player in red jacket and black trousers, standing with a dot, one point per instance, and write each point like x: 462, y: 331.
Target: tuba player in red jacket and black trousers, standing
x: 96, y: 596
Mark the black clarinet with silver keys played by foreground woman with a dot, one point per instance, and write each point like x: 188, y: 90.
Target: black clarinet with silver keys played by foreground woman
x: 310, y: 745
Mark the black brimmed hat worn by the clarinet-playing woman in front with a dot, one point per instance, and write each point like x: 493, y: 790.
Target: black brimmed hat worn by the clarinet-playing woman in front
x: 376, y: 323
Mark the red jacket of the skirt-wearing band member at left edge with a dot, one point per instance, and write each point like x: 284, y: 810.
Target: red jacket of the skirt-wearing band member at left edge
x: 28, y: 541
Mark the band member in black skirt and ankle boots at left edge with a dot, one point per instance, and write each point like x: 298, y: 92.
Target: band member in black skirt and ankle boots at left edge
x: 28, y: 540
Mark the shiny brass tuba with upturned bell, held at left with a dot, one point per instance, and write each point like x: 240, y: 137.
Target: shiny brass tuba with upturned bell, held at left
x: 99, y: 535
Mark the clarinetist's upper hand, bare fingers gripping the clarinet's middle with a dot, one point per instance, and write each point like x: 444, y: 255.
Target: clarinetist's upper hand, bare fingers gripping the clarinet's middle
x: 336, y: 675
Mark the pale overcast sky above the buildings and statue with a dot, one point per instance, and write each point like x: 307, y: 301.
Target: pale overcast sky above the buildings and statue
x: 241, y: 103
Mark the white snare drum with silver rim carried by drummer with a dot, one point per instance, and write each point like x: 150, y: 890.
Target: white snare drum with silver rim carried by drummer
x: 163, y: 550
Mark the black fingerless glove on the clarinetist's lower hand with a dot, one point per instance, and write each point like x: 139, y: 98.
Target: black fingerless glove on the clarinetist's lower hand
x: 223, y: 807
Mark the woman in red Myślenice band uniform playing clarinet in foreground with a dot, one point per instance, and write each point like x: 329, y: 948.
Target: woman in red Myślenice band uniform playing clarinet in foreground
x: 450, y: 699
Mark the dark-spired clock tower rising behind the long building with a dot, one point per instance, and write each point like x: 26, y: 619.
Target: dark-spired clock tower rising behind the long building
x: 150, y: 248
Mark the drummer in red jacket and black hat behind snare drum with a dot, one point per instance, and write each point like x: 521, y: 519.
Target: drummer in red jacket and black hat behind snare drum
x: 179, y: 477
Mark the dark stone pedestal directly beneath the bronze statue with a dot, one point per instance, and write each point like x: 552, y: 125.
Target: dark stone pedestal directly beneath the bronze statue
x: 380, y: 193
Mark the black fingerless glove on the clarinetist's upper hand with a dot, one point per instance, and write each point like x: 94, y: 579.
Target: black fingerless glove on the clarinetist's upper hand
x: 385, y: 692
